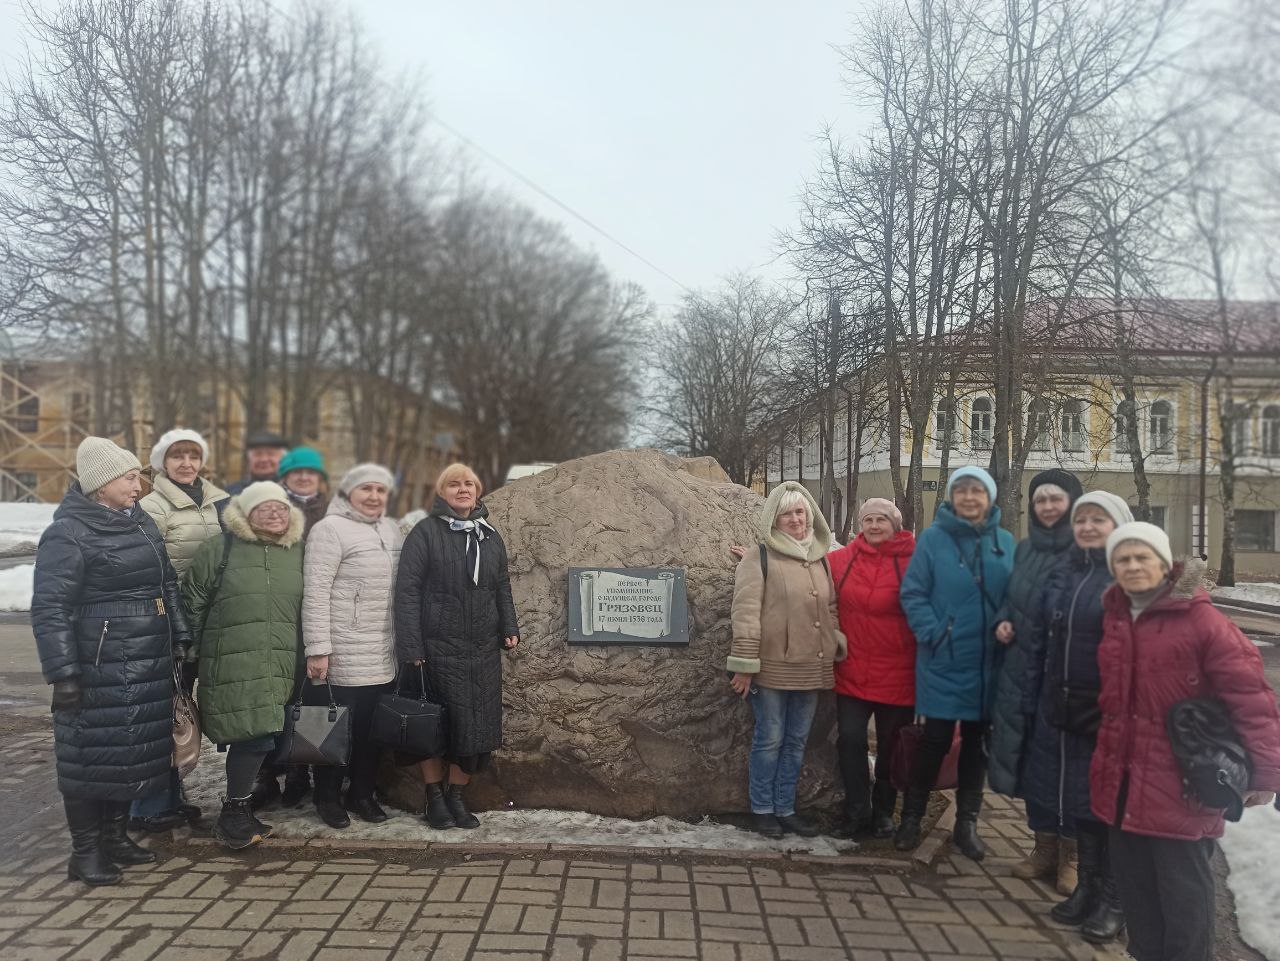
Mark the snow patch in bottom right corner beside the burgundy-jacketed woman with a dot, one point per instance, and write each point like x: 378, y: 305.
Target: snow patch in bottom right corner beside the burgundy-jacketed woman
x: 1252, y: 849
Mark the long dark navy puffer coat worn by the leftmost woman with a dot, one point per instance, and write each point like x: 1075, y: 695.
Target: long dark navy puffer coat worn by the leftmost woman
x: 106, y: 611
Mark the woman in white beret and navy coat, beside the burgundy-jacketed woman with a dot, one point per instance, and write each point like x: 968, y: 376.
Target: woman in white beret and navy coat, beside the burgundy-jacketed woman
x: 1062, y: 693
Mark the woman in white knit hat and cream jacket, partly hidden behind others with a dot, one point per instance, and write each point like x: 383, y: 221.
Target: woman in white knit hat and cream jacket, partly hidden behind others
x: 188, y: 511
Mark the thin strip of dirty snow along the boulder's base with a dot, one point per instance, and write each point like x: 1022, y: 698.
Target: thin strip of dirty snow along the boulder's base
x: 207, y: 786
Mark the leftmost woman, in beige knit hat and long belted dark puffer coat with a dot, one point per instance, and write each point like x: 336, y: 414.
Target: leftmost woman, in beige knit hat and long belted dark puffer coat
x: 108, y: 623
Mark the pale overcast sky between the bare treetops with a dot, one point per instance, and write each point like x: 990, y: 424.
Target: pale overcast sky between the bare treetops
x: 684, y: 130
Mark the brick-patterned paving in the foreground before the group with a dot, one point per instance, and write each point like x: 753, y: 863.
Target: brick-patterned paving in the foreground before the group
x: 303, y: 903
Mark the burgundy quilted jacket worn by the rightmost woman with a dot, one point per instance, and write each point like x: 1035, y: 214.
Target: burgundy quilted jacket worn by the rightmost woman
x: 1181, y: 647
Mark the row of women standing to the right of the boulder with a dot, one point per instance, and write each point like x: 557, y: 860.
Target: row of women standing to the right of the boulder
x: 1054, y: 662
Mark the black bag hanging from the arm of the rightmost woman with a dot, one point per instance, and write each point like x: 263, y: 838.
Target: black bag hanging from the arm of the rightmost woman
x: 1214, y: 763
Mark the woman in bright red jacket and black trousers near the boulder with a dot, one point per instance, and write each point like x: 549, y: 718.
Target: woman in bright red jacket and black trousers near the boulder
x: 879, y: 676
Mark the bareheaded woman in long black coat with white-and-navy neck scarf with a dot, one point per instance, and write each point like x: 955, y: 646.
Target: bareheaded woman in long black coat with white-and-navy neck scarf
x: 455, y: 616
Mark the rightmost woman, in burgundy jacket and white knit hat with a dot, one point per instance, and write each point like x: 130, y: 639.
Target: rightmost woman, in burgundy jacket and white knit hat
x: 1164, y: 642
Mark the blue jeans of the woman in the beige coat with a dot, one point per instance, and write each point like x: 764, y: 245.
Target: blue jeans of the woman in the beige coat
x: 783, y: 722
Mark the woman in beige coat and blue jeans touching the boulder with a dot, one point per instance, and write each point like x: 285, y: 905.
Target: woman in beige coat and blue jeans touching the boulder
x: 785, y: 648
